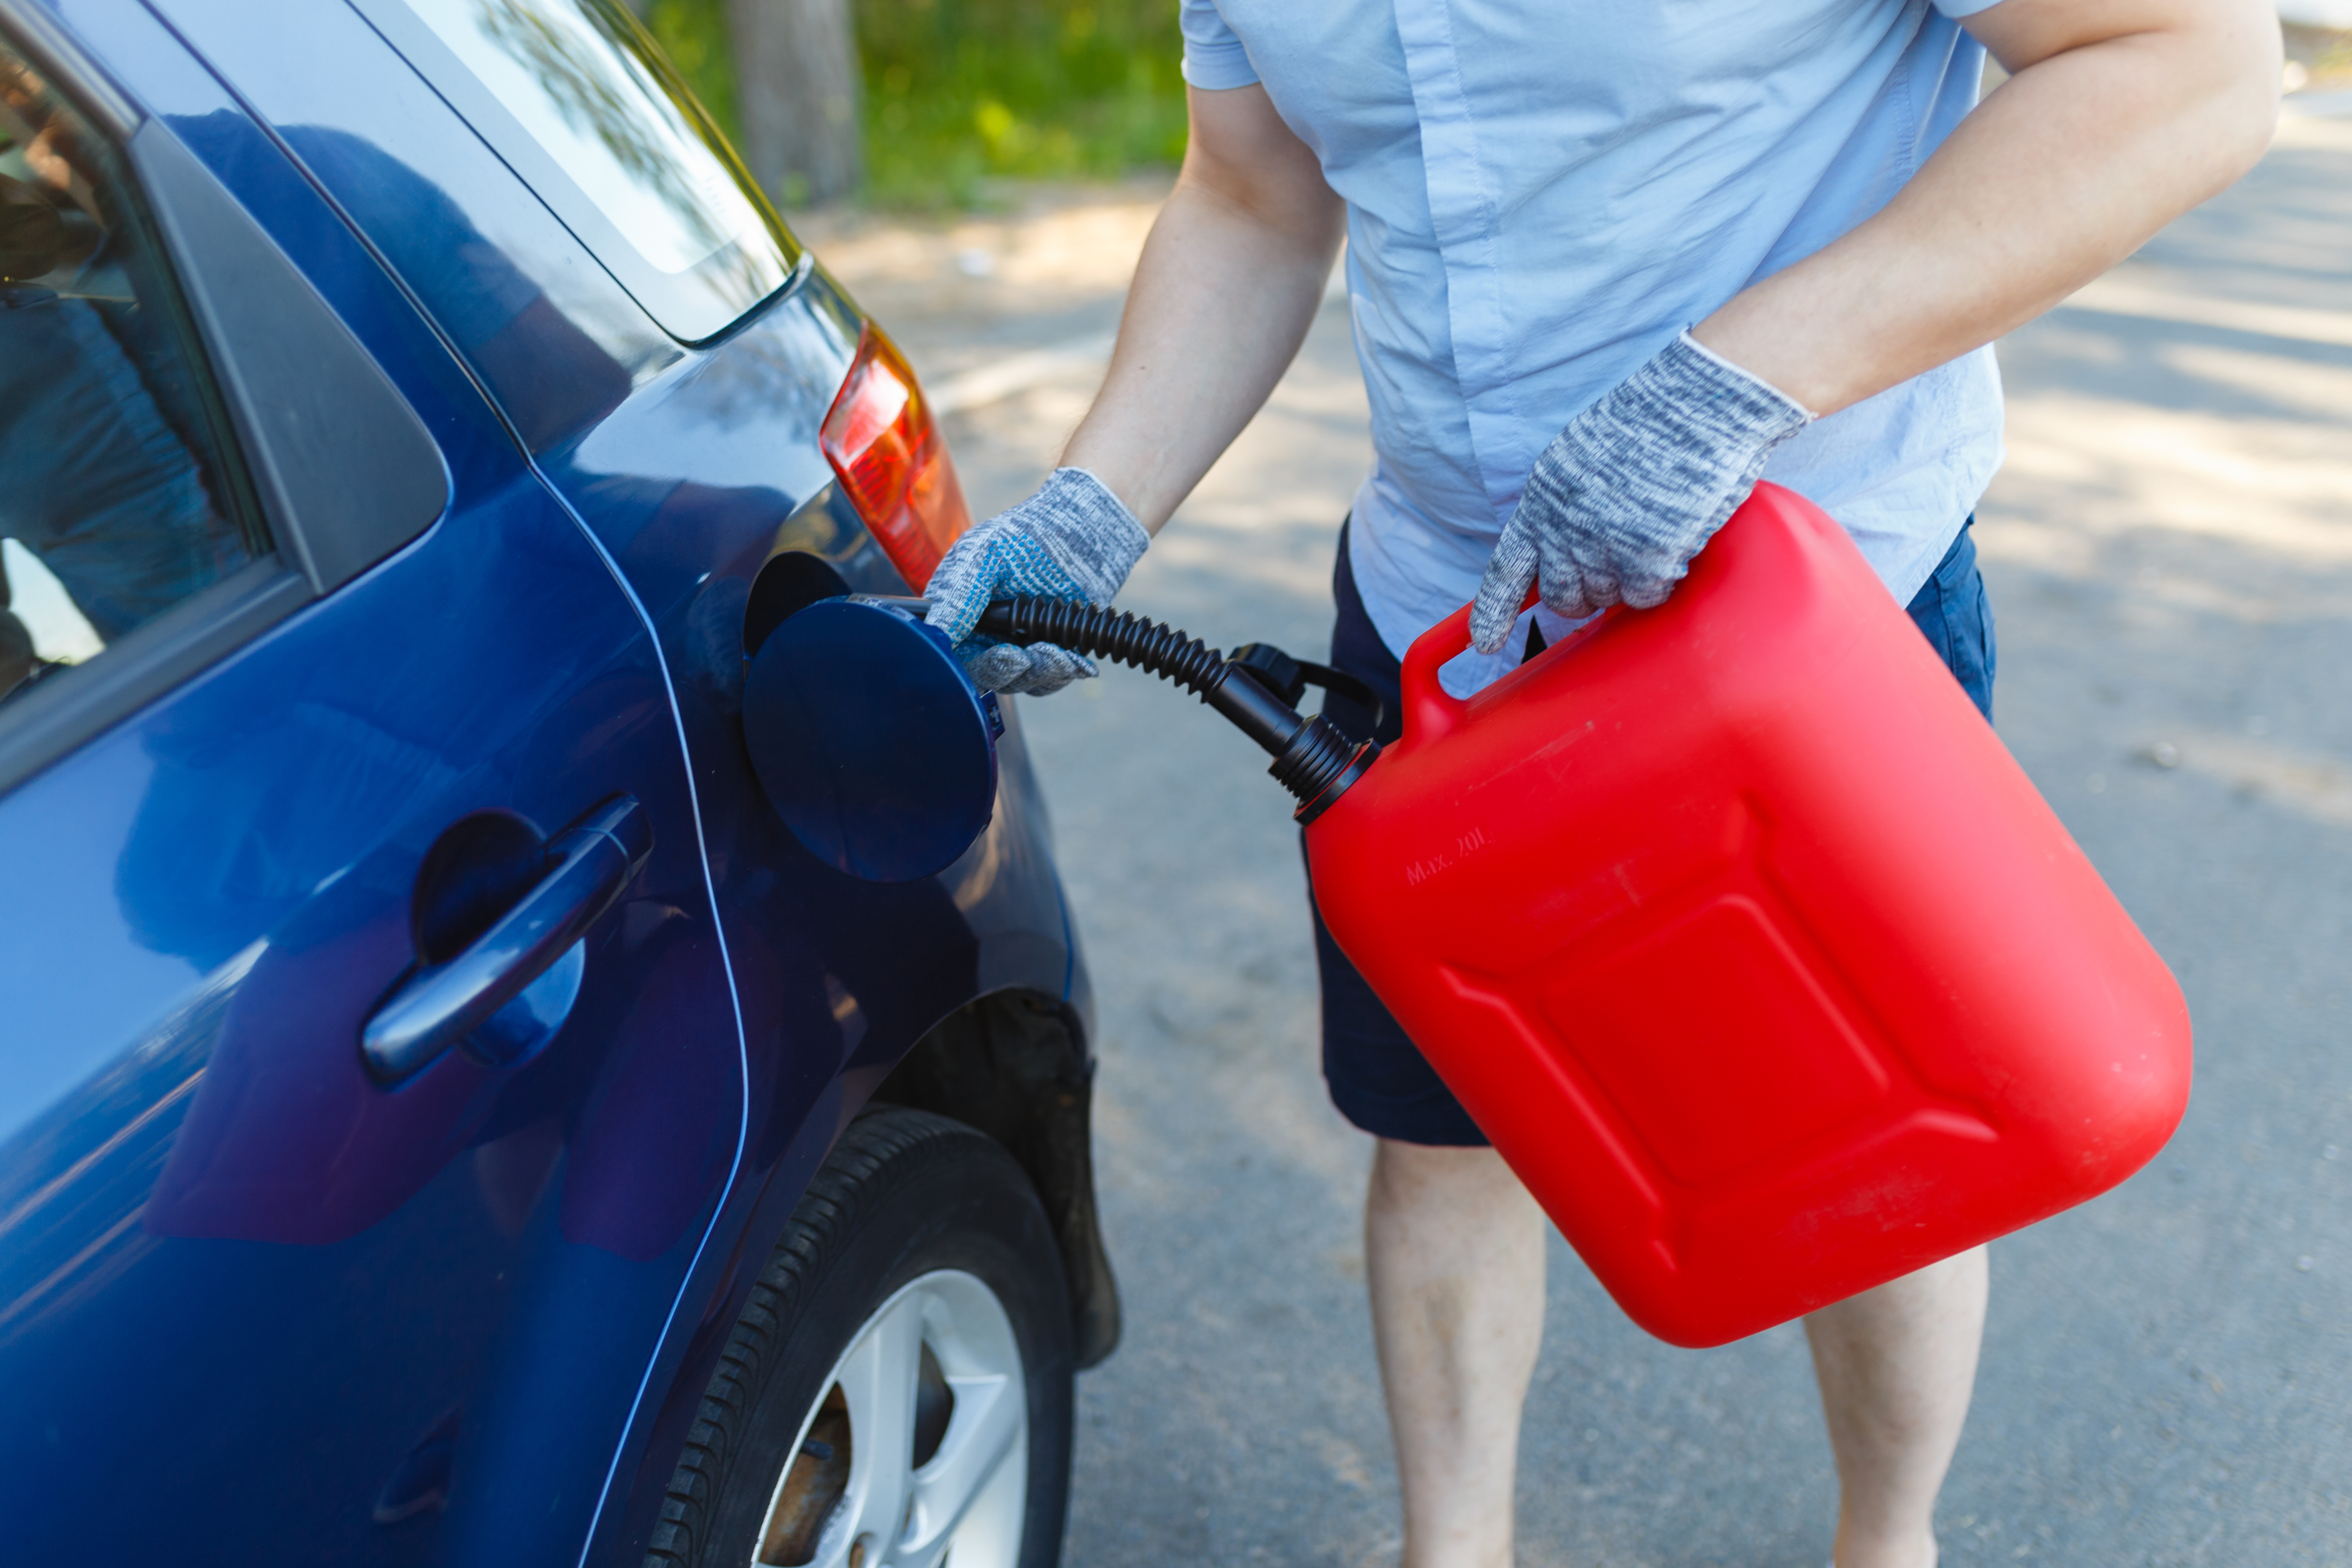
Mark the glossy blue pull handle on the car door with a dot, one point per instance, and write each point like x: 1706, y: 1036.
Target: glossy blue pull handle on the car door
x: 441, y: 1005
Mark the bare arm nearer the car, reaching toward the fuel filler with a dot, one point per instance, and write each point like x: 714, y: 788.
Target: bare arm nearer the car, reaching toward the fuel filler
x: 1229, y: 283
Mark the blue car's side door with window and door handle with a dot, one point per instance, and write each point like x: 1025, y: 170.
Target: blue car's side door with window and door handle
x: 368, y: 1061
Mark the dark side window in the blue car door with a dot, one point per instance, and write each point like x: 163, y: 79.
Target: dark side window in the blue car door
x: 119, y: 495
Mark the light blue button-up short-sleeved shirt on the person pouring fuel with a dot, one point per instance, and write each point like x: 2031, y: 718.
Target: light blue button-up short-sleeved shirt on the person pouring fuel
x: 1544, y: 194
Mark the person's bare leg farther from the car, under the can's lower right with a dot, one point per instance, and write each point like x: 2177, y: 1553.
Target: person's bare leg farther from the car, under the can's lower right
x: 1897, y: 1367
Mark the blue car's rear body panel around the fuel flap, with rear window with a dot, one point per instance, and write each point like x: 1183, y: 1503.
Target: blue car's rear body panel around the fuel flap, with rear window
x: 674, y: 401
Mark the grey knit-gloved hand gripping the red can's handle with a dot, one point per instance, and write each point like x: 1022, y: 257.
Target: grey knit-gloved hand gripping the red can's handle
x: 1633, y: 490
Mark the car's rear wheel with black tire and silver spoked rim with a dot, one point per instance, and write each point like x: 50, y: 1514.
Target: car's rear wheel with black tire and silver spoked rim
x: 900, y: 1381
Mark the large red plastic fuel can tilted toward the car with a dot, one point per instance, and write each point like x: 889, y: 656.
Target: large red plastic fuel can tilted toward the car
x: 1749, y: 944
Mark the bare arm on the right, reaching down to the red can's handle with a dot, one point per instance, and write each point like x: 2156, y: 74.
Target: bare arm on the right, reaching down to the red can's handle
x: 2118, y: 119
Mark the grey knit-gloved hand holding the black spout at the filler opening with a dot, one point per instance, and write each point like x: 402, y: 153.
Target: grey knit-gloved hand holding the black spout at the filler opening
x: 1069, y: 542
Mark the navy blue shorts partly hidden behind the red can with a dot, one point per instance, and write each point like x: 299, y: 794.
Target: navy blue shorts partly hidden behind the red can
x: 1377, y: 1076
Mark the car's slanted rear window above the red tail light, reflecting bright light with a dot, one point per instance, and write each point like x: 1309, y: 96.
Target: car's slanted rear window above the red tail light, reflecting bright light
x: 580, y: 100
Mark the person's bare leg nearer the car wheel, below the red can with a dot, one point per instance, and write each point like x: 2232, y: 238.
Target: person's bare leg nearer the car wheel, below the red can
x: 1455, y: 1261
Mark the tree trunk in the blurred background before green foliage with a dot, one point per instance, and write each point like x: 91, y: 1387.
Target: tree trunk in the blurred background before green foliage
x: 799, y: 98
